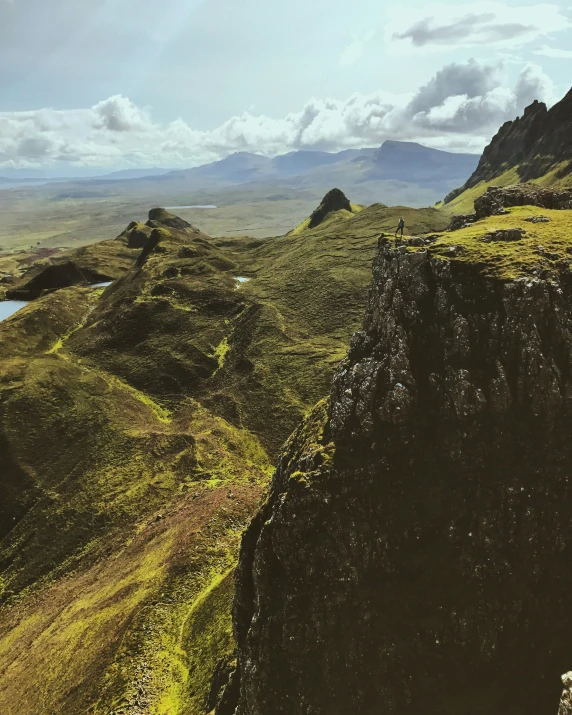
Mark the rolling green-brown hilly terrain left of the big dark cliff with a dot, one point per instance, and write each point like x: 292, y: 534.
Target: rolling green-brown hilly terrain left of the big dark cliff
x: 138, y: 425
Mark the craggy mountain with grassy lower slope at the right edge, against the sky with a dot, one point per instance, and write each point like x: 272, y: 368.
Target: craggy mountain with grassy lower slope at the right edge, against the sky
x: 536, y: 147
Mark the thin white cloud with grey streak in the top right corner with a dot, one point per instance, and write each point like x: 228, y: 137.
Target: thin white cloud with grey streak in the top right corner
x: 495, y: 23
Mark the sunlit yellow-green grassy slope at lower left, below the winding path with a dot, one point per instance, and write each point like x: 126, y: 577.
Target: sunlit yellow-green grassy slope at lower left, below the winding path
x: 89, y: 567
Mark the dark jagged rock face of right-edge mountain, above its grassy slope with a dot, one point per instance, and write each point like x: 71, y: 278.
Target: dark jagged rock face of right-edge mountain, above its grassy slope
x: 535, y: 143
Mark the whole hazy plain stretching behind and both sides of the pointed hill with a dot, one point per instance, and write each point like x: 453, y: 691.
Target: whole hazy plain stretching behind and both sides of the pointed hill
x: 73, y: 214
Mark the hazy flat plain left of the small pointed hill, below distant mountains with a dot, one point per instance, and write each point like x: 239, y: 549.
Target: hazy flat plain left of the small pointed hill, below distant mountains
x: 65, y: 215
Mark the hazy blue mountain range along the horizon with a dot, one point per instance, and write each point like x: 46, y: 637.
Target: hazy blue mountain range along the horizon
x: 404, y: 172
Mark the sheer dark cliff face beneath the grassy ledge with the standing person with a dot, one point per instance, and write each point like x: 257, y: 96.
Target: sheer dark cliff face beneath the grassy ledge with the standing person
x: 413, y: 555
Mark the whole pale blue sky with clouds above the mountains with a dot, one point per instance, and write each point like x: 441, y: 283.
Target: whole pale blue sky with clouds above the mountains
x: 99, y: 85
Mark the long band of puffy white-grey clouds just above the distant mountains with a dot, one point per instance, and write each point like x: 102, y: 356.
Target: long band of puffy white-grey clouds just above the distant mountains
x: 460, y: 107
